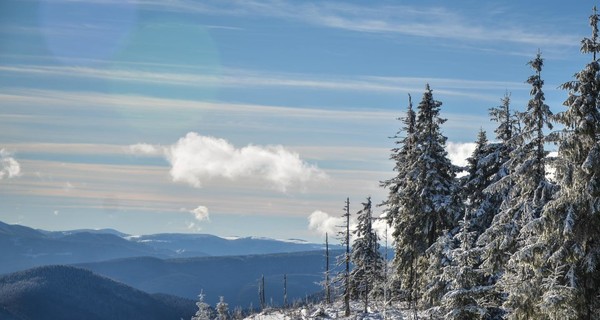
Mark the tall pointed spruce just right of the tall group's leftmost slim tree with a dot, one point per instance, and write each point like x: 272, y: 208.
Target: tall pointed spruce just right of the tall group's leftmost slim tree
x: 435, y: 200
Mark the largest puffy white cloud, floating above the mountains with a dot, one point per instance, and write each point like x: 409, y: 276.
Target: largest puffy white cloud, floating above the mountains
x: 196, y: 159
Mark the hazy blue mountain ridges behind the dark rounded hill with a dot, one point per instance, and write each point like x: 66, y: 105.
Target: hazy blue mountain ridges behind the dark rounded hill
x: 174, y: 264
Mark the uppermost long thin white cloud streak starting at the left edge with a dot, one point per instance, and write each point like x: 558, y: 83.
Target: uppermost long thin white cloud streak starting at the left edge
x: 252, y: 78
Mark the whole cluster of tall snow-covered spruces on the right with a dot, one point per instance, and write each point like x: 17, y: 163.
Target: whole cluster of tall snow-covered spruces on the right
x: 510, y: 239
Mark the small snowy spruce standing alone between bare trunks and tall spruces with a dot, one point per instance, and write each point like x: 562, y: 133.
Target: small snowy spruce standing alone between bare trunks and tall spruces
x: 366, y: 258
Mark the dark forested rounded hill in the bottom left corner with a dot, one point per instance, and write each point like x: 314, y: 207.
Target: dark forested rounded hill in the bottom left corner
x: 61, y: 292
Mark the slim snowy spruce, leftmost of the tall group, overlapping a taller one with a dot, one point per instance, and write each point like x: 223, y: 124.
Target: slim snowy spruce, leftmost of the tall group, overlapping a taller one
x: 404, y: 227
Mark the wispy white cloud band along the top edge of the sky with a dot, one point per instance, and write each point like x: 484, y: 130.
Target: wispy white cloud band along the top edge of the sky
x: 421, y: 21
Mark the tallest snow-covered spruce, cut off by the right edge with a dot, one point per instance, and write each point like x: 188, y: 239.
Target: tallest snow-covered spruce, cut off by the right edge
x: 571, y: 221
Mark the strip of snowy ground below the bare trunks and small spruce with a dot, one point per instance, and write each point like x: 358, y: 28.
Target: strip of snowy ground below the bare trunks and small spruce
x: 333, y: 311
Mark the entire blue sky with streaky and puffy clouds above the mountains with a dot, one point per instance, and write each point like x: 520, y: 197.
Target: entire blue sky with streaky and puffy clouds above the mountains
x: 248, y: 118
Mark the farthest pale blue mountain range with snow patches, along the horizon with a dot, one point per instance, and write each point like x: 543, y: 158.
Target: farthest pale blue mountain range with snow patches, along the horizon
x: 24, y: 247
